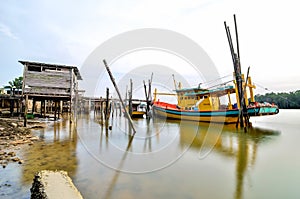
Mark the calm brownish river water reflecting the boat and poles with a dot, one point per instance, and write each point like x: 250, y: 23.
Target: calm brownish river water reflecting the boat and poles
x: 165, y: 159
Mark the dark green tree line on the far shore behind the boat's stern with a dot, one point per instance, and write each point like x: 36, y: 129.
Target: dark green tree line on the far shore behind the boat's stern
x: 289, y: 100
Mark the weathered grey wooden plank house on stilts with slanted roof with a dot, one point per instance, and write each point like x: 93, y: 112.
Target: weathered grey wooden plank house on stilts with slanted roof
x: 52, y: 85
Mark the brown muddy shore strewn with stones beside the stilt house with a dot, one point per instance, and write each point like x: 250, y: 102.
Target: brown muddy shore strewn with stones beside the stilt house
x: 13, y: 135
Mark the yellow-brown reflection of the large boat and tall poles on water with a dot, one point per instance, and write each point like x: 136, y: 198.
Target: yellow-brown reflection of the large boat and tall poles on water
x: 239, y: 146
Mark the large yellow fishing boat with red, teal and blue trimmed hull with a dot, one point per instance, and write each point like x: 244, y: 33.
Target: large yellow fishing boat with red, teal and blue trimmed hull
x: 204, y: 105
